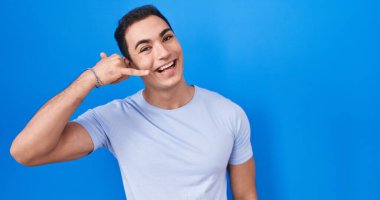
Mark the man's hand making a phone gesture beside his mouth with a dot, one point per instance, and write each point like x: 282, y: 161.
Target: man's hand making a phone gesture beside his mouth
x: 114, y: 69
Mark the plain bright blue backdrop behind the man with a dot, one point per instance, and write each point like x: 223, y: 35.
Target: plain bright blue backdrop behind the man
x: 305, y: 72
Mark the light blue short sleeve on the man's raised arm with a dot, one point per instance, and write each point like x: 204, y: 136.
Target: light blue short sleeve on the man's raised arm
x: 91, y: 121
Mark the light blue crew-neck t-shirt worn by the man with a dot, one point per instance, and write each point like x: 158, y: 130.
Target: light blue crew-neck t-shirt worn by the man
x: 178, y: 154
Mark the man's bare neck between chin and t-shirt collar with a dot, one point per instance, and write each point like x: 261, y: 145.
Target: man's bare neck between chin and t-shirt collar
x: 172, y: 98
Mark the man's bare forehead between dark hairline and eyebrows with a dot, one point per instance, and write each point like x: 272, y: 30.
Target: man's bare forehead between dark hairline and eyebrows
x: 147, y: 28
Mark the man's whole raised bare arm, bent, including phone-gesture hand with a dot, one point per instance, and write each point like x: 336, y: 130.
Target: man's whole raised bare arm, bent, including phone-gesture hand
x: 48, y: 137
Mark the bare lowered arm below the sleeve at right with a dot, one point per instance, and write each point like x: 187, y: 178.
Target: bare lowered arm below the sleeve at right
x: 242, y: 179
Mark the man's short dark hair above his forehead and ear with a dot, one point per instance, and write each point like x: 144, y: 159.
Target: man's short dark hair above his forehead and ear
x: 131, y: 17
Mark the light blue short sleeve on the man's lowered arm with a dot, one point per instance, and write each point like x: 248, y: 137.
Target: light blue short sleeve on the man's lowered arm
x: 242, y: 148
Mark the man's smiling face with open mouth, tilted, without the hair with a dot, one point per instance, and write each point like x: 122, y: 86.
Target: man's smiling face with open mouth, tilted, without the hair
x: 152, y: 45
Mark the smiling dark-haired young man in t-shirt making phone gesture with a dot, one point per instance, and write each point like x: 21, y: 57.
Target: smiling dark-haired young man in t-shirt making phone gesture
x: 173, y: 141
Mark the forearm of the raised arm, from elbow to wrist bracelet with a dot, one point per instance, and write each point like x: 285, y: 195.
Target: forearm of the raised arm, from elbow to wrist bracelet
x: 44, y: 130
